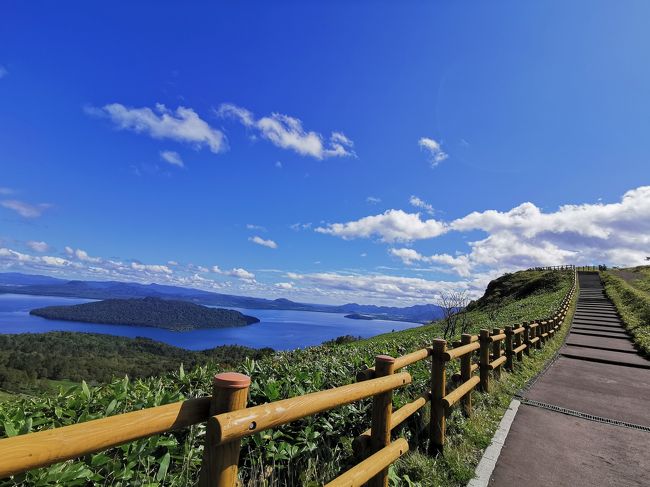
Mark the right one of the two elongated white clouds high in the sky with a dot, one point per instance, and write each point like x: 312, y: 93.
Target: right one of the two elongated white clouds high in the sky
x: 288, y: 133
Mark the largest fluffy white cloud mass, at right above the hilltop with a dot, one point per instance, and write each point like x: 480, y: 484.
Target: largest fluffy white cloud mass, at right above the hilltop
x: 525, y: 236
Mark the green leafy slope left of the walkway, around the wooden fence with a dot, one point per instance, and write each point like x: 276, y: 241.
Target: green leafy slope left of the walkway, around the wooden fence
x: 309, y: 451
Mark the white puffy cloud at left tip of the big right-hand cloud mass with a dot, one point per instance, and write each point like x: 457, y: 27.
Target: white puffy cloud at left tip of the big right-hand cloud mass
x: 390, y: 226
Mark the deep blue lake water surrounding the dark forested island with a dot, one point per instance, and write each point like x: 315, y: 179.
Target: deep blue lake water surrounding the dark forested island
x: 278, y: 329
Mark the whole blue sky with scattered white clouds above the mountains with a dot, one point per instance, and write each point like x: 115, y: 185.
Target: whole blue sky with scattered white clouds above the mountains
x: 322, y: 151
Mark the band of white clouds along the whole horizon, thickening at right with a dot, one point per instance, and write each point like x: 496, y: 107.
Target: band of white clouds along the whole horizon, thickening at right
x: 525, y: 236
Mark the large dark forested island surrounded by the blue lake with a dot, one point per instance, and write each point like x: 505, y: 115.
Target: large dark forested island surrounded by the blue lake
x: 160, y: 313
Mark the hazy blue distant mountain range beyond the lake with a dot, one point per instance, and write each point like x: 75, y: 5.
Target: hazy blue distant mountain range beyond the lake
x: 18, y: 283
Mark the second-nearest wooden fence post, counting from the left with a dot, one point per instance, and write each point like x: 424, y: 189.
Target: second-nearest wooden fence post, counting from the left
x: 382, y: 409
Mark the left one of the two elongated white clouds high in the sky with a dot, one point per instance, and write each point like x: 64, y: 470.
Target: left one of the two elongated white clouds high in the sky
x: 183, y: 125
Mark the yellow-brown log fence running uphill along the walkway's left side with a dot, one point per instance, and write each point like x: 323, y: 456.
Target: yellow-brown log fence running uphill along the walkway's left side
x: 229, y: 420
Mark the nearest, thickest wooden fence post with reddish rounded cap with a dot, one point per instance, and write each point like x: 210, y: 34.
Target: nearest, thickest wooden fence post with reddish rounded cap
x: 219, y: 466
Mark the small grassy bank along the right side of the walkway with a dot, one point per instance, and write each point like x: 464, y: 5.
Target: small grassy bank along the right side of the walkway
x: 629, y: 289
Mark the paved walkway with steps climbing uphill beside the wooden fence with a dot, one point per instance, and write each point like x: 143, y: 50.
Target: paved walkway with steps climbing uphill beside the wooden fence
x: 586, y: 421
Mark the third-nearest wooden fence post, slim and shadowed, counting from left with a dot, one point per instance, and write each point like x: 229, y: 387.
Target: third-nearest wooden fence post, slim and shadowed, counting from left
x: 438, y: 391
